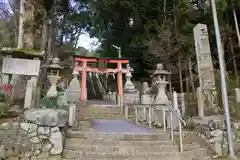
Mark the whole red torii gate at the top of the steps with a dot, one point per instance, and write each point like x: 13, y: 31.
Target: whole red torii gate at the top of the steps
x: 83, y: 68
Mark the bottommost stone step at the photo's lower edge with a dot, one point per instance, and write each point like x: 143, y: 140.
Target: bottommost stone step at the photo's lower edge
x: 70, y: 154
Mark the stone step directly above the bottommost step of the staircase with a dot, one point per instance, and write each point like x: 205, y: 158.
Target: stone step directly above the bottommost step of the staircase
x: 120, y: 146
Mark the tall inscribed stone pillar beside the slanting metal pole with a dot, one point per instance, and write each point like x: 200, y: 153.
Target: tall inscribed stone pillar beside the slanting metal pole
x: 207, y: 88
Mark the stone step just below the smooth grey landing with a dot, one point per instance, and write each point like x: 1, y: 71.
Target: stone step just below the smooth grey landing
x: 113, y: 136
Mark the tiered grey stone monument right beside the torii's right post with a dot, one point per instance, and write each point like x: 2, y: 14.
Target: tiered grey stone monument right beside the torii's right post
x: 131, y: 94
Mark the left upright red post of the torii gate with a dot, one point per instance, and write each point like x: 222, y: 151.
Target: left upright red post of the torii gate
x: 84, y: 81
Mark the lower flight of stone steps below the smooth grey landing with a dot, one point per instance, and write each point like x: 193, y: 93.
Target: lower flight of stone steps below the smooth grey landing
x: 90, y: 145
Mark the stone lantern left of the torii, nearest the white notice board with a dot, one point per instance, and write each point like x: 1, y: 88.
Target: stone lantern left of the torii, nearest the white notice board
x: 53, y: 76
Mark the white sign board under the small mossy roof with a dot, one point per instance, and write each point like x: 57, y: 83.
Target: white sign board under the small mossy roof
x: 21, y: 66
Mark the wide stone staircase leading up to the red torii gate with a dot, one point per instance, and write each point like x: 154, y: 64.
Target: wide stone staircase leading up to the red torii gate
x: 84, y: 143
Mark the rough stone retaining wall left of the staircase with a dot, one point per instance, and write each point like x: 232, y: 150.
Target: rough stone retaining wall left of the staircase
x: 29, y: 140
